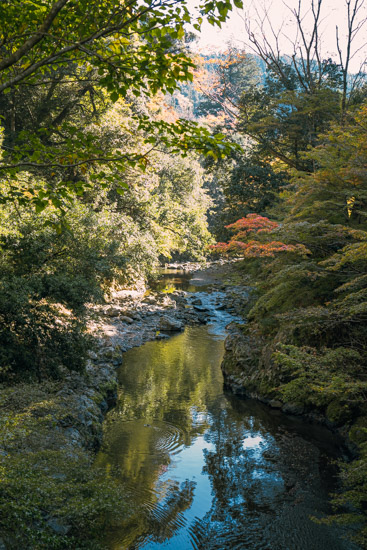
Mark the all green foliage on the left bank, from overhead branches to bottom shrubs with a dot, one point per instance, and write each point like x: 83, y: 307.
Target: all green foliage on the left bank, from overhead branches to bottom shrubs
x: 99, y: 182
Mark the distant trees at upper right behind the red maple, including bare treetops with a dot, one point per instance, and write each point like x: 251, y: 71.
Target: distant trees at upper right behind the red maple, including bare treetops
x: 298, y: 96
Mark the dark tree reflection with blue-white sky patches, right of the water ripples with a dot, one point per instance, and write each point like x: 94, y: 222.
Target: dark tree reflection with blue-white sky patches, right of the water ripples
x: 247, y: 486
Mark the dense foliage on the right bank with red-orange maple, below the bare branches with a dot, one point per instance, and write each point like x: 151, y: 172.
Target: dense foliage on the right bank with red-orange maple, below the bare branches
x: 309, y: 258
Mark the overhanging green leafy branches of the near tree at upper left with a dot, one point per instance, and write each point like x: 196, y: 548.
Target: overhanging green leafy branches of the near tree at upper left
x: 96, y: 51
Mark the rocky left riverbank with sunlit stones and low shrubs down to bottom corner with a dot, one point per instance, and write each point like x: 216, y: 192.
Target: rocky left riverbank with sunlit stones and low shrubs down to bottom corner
x: 49, y: 431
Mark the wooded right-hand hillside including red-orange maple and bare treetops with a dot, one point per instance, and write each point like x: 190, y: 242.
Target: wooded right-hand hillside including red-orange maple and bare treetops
x: 294, y: 207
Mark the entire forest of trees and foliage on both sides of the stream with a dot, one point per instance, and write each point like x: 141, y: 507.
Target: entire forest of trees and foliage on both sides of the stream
x: 122, y: 148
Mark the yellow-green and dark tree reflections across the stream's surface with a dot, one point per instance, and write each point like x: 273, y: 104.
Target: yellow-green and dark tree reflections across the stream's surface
x: 171, y: 394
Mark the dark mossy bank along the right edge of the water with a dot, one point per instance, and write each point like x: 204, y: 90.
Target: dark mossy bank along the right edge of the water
x: 298, y: 382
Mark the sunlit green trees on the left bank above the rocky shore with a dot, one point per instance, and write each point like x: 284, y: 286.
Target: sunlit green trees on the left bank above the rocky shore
x: 93, y: 192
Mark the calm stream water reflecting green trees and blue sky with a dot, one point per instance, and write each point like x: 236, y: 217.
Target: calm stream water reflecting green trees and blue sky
x: 204, y: 469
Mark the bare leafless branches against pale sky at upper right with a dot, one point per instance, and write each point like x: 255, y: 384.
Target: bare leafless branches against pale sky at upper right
x: 307, y: 59
